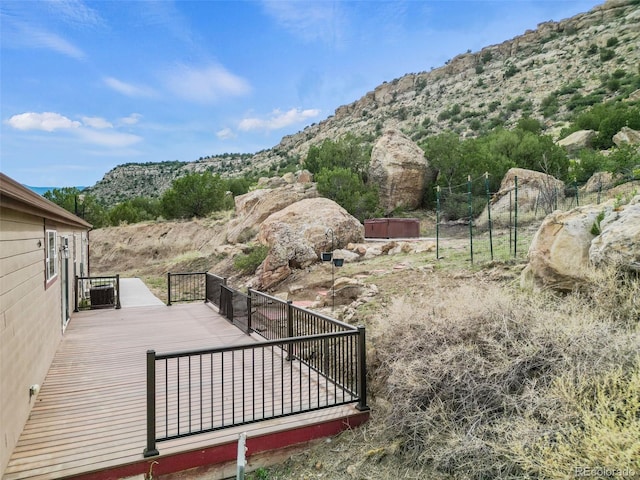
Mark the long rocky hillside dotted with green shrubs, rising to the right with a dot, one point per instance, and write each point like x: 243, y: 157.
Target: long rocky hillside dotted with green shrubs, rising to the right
x: 545, y: 73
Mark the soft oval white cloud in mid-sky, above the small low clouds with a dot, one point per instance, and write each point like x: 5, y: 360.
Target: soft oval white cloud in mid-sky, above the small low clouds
x: 205, y: 85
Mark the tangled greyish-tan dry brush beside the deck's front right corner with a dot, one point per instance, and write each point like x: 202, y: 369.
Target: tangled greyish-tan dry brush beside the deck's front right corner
x: 460, y: 373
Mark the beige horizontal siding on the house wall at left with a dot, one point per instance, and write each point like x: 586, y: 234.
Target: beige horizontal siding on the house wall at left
x: 30, y: 318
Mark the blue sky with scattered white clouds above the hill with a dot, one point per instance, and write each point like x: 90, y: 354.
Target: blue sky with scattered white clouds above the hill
x: 86, y: 86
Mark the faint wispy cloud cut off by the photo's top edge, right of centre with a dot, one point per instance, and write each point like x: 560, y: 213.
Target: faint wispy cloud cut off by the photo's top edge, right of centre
x: 309, y: 20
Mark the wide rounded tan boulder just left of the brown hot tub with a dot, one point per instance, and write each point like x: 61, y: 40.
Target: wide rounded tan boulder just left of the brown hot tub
x: 299, y: 233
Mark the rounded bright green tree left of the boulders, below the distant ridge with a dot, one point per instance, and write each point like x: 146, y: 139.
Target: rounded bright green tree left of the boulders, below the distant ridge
x: 194, y: 195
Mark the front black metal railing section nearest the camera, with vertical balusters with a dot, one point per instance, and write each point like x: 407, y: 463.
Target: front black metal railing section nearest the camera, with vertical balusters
x: 205, y: 390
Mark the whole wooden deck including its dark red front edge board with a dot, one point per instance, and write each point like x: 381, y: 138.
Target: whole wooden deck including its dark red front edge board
x: 89, y: 419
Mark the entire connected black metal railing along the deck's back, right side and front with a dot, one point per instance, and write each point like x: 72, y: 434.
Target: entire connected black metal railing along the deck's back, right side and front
x: 309, y: 361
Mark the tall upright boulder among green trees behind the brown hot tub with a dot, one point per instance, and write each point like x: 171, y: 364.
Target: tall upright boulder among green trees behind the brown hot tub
x: 399, y: 168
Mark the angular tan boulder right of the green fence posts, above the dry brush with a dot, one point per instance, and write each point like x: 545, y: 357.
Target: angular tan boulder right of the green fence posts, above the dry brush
x: 559, y: 252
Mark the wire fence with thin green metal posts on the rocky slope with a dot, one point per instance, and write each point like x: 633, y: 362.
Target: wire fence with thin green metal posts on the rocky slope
x: 481, y: 224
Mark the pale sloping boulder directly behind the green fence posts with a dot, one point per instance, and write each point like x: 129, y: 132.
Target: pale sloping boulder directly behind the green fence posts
x: 537, y: 191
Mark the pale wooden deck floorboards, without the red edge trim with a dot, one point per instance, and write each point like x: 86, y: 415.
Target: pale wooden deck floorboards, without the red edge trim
x: 90, y: 413
